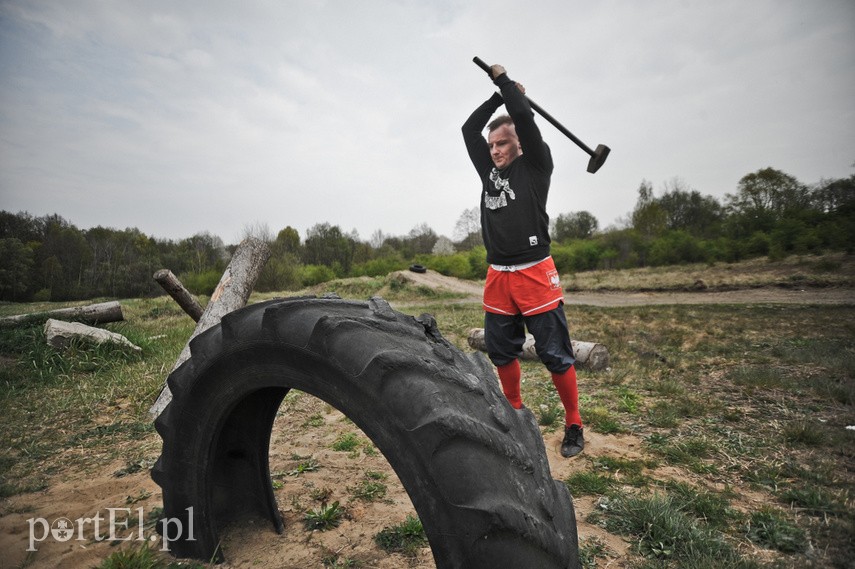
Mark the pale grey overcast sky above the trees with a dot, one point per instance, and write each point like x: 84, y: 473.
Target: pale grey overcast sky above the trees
x: 181, y: 117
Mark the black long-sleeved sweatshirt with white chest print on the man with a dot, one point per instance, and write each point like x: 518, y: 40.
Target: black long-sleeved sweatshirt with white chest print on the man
x: 514, y: 221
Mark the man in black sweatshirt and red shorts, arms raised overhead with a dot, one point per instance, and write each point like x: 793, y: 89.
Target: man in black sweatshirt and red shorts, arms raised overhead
x: 522, y: 289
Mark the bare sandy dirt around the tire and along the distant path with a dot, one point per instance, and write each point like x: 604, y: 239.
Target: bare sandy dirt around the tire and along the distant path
x: 80, y: 498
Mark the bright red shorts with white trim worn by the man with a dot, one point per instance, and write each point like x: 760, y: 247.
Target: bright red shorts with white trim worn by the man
x: 527, y: 291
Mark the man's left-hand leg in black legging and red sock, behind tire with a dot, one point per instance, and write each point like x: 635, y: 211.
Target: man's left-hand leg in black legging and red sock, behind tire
x: 504, y: 336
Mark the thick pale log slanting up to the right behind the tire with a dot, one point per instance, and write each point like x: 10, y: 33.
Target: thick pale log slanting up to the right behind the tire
x: 231, y: 293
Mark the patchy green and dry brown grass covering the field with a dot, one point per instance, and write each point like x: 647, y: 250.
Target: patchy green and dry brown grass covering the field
x: 729, y: 402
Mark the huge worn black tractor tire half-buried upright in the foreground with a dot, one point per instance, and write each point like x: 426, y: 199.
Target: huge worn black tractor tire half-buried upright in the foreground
x: 475, y: 468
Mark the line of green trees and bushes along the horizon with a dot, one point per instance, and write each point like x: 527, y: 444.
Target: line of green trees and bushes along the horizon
x: 770, y: 214
